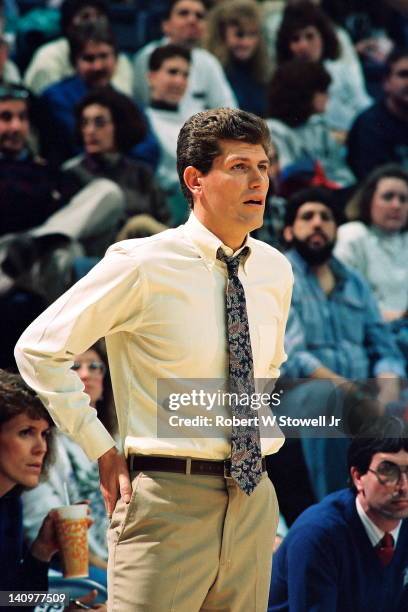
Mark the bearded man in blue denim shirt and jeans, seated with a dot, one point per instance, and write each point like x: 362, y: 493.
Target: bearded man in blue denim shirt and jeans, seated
x: 335, y: 339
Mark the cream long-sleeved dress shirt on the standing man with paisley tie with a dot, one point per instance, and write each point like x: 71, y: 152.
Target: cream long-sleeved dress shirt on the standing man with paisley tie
x: 160, y: 303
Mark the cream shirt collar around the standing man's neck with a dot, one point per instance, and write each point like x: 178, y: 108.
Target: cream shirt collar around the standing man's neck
x: 207, y: 243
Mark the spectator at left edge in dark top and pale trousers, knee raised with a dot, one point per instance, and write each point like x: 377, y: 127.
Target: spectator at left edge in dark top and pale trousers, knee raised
x: 39, y: 236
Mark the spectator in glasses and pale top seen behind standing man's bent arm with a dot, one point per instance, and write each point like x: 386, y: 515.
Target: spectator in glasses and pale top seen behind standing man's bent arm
x: 73, y: 467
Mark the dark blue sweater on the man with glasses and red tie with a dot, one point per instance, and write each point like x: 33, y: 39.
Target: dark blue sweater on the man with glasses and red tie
x: 326, y: 563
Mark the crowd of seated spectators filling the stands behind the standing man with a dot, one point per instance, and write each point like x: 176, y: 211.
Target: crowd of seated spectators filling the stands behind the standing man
x: 88, y: 138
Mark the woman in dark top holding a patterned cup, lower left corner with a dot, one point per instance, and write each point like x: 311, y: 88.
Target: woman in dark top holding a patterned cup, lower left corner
x: 25, y: 454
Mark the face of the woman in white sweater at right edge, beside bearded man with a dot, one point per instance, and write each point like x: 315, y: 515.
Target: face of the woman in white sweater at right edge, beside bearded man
x: 389, y: 206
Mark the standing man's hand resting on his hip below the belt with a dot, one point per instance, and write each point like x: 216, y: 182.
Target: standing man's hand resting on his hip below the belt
x: 114, y: 477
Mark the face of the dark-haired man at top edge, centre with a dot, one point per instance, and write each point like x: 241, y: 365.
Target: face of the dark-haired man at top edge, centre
x: 186, y: 23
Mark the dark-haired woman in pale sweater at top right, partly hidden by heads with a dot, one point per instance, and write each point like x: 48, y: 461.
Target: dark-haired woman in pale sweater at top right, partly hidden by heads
x: 307, y: 33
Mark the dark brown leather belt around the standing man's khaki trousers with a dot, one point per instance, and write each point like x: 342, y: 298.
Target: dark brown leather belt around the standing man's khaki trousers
x: 141, y: 463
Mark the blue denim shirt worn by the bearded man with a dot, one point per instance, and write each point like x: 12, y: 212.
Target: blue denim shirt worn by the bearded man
x: 342, y: 331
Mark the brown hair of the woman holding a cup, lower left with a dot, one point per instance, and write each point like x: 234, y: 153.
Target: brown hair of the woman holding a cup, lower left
x: 17, y: 398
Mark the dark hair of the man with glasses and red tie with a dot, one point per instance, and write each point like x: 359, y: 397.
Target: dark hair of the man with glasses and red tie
x: 383, y: 435
